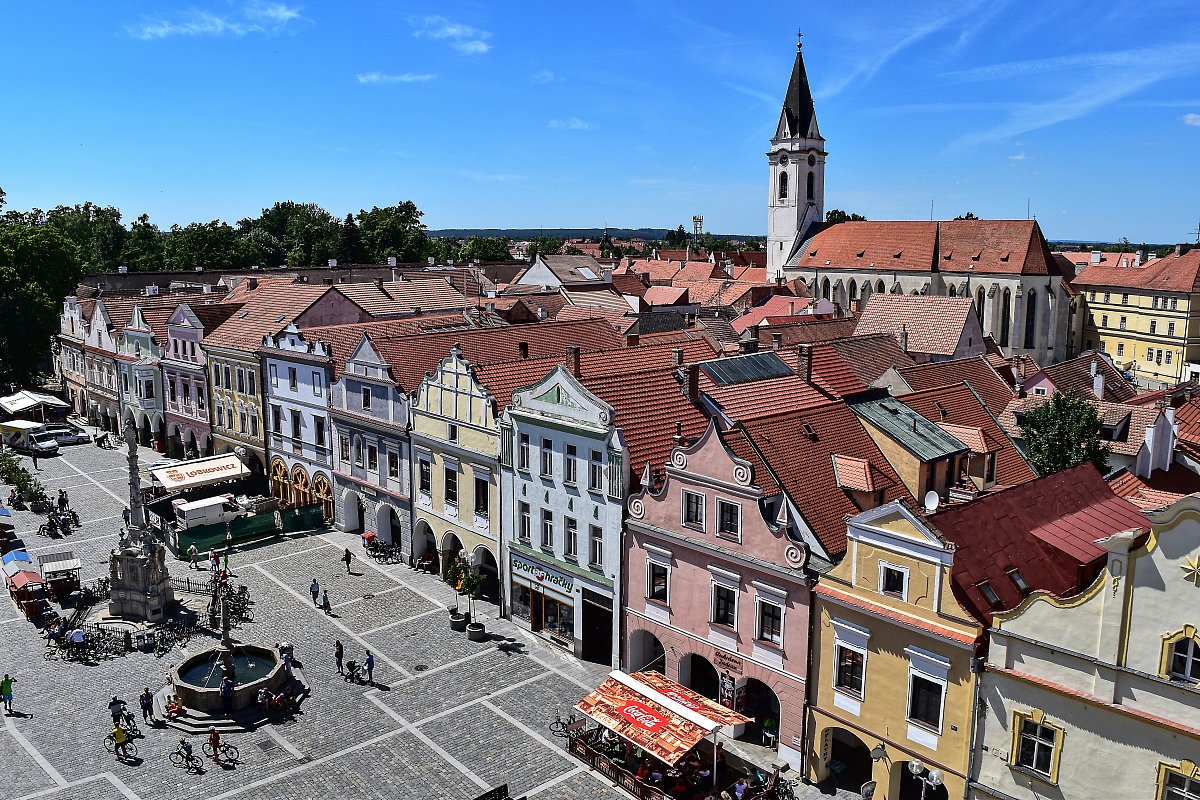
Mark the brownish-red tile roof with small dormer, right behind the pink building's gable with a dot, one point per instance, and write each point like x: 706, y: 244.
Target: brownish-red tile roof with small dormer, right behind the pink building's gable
x: 802, y: 464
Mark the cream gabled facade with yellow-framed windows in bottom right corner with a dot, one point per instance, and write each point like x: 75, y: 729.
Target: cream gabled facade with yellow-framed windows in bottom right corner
x: 1096, y: 695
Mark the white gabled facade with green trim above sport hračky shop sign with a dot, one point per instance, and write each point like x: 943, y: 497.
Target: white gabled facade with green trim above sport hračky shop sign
x: 561, y: 467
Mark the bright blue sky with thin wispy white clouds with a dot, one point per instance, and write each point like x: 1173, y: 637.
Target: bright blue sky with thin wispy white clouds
x: 527, y: 115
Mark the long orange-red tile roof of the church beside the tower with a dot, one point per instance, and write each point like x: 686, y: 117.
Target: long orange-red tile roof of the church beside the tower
x: 980, y: 246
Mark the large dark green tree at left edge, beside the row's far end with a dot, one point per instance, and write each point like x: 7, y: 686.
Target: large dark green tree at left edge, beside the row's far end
x: 39, y: 267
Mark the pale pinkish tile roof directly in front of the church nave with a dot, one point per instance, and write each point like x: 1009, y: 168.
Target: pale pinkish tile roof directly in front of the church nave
x: 934, y: 324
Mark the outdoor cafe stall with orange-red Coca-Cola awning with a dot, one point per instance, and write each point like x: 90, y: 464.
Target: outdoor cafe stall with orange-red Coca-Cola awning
x: 651, y: 733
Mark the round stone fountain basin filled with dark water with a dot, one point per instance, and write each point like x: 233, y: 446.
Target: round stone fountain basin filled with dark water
x: 197, y: 681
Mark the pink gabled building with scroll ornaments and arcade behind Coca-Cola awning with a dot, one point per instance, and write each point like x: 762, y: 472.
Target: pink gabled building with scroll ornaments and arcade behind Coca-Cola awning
x: 717, y: 593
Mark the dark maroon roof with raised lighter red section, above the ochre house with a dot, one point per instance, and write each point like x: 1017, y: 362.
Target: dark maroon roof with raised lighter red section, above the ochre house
x: 1046, y: 528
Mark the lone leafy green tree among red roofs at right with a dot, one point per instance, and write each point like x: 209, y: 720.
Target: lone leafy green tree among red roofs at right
x: 1063, y: 432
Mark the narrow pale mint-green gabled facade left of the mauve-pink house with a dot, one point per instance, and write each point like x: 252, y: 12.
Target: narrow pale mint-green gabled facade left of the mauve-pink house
x: 140, y: 380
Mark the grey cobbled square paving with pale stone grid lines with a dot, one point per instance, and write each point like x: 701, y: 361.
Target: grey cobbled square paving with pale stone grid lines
x: 447, y: 718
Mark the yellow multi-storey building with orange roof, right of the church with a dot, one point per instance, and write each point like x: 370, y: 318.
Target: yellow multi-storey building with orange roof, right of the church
x: 1145, y: 317
